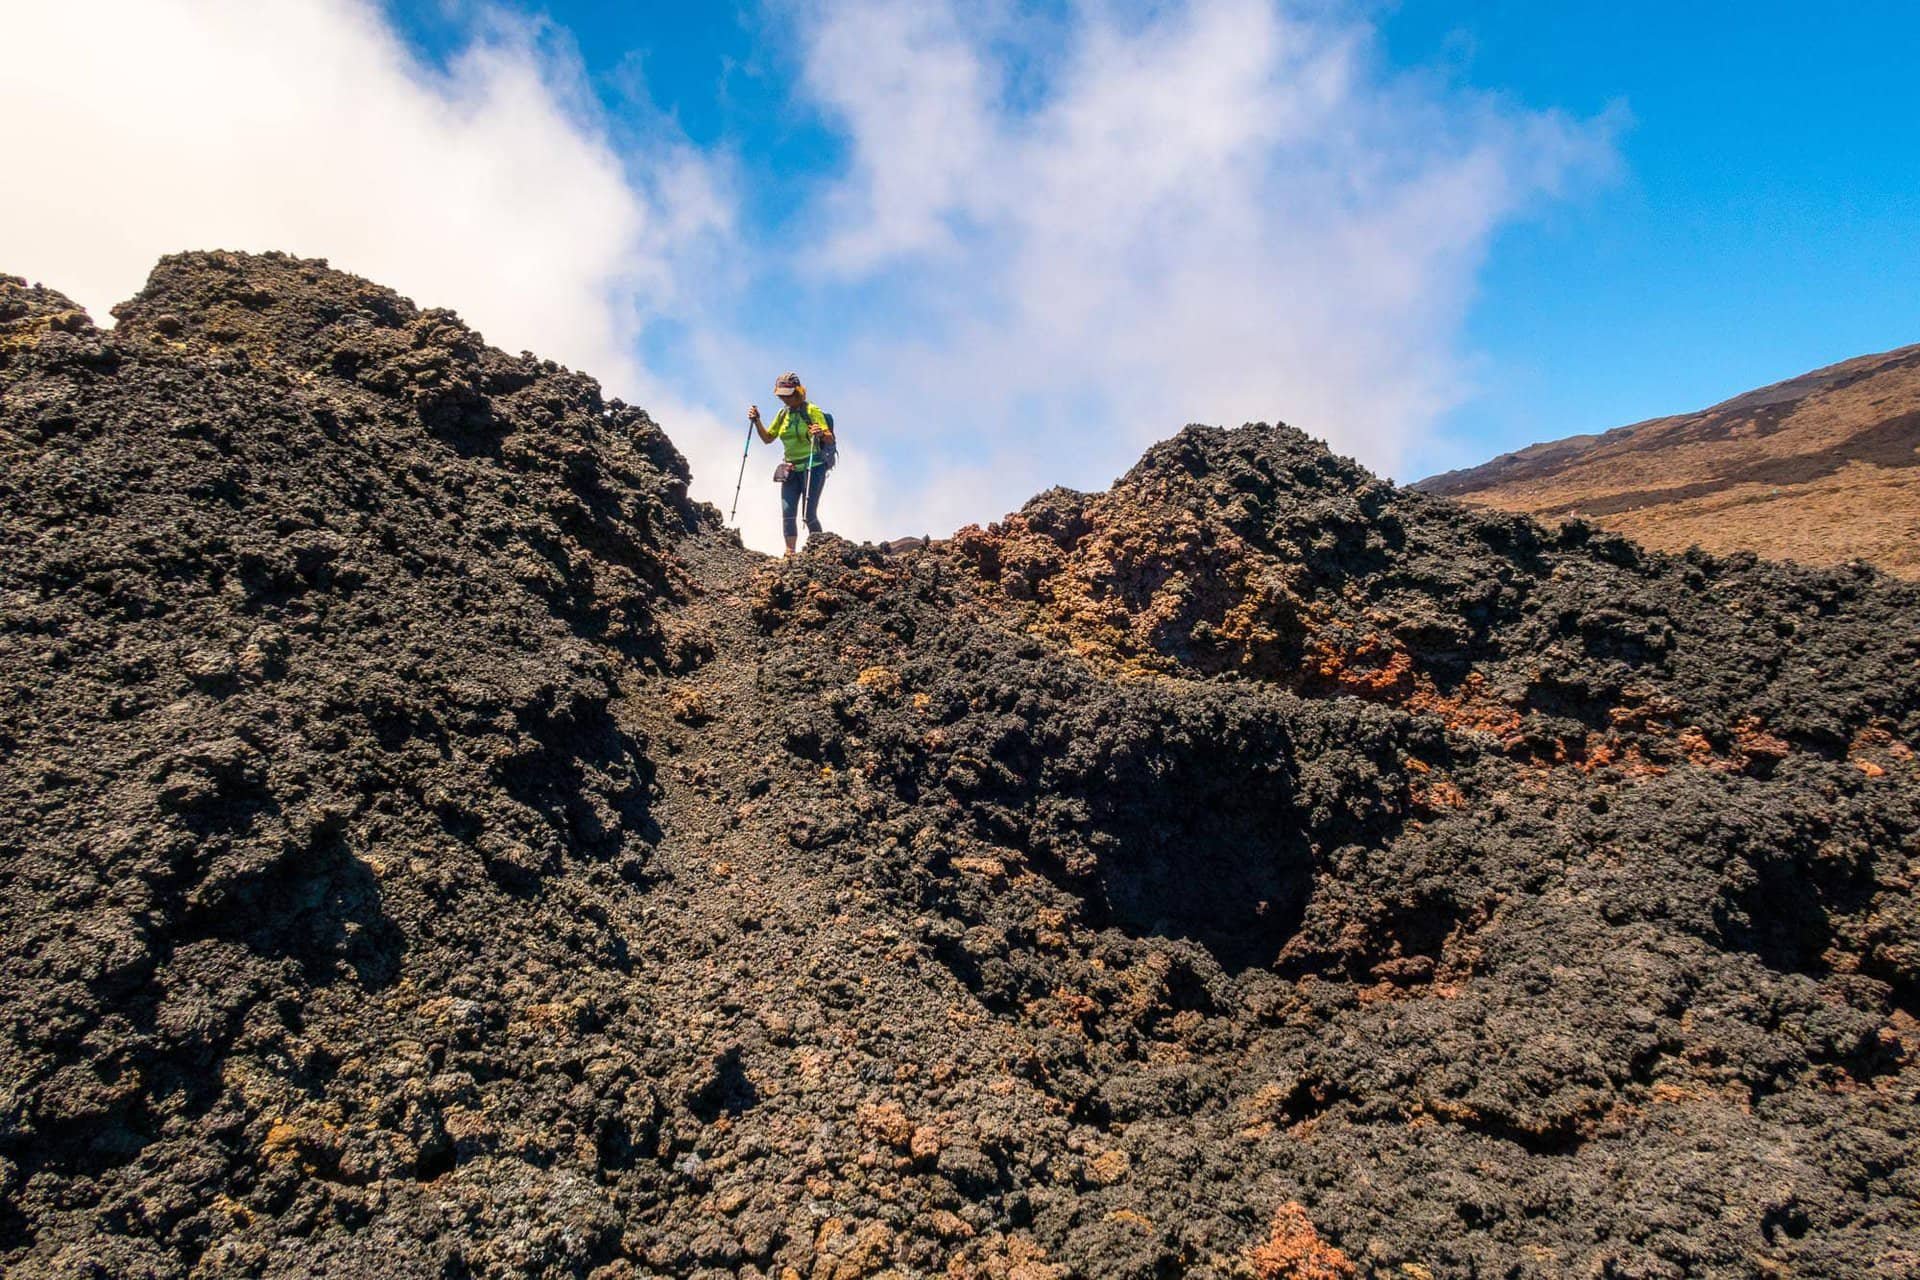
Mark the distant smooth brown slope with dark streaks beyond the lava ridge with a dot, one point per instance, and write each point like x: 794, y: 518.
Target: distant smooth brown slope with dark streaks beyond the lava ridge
x: 1817, y: 469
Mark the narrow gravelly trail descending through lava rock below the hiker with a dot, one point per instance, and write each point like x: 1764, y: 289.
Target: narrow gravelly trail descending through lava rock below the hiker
x: 838, y: 1045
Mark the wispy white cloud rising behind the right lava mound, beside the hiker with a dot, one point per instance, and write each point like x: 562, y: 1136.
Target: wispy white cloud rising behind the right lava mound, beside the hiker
x: 1218, y: 212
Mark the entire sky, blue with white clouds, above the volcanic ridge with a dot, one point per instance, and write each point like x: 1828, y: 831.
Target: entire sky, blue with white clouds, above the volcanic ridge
x: 1013, y: 245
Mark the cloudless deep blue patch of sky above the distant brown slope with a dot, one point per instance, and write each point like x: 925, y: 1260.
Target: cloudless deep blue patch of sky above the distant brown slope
x: 1765, y: 218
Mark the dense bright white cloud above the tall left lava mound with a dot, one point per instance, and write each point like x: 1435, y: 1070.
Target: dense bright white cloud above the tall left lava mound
x: 155, y: 126
